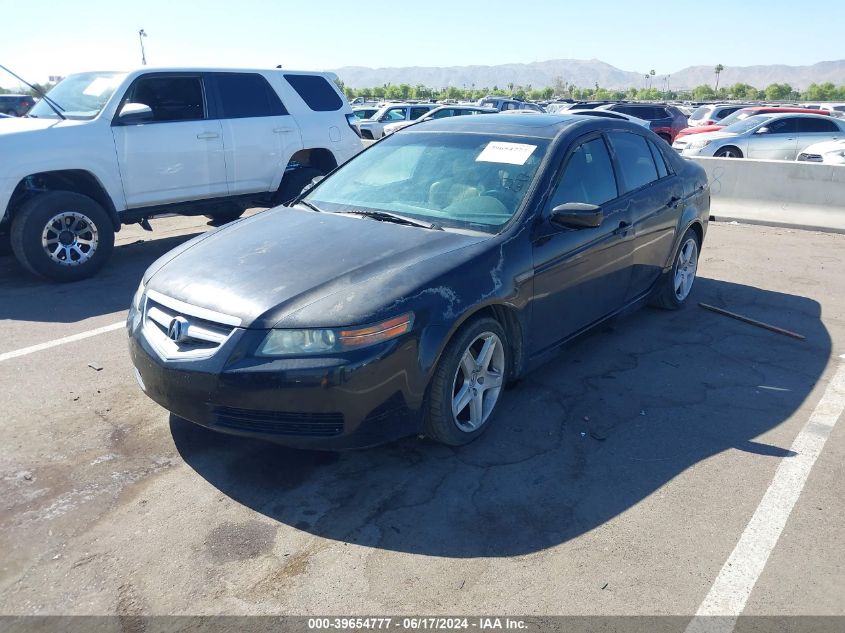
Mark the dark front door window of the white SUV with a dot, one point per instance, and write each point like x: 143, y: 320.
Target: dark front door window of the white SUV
x: 171, y: 98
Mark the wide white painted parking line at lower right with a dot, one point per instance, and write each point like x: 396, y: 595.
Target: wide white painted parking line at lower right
x: 733, y: 585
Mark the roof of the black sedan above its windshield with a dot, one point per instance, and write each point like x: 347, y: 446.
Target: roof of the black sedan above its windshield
x: 539, y: 125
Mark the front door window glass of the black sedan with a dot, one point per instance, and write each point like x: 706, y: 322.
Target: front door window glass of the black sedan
x: 588, y: 176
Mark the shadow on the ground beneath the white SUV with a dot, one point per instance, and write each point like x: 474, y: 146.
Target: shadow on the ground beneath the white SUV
x: 25, y: 297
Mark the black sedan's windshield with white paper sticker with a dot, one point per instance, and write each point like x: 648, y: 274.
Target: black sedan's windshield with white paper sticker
x: 470, y: 181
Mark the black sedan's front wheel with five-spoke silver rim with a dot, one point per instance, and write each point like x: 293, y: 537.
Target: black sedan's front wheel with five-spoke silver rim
x: 468, y: 383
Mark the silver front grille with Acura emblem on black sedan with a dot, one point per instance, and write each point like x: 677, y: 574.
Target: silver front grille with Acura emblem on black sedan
x: 202, y: 331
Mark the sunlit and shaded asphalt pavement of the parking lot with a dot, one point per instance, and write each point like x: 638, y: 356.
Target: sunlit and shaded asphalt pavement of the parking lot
x: 617, y: 479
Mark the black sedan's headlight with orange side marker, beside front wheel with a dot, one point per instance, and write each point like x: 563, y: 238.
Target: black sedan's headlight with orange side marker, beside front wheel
x: 328, y: 340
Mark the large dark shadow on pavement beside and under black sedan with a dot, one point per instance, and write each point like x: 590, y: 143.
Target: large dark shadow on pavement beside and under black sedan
x: 582, y: 439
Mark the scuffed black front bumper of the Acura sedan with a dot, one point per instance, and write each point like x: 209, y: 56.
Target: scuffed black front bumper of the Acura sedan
x: 355, y: 400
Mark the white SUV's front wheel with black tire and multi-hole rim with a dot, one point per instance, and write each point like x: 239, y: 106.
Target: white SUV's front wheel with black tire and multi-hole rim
x: 62, y: 235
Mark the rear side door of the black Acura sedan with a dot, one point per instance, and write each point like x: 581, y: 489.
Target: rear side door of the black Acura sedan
x: 653, y: 194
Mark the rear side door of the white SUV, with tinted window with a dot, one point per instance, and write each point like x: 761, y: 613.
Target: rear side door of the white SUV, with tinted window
x: 258, y: 133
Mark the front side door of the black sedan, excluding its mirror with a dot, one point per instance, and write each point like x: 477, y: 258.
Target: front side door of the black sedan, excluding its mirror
x: 580, y: 275
